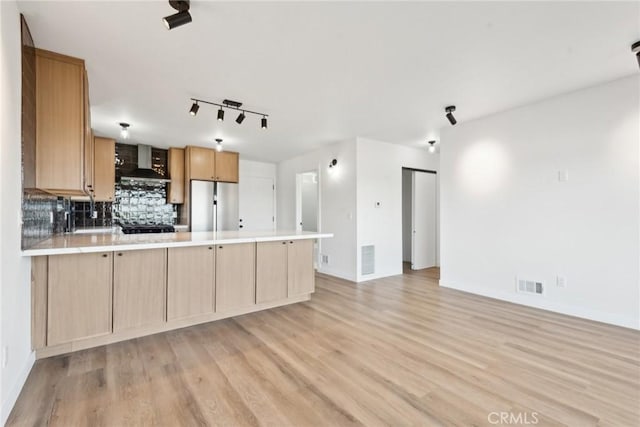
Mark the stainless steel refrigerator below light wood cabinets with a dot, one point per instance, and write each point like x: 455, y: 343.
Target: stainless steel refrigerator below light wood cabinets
x: 214, y: 206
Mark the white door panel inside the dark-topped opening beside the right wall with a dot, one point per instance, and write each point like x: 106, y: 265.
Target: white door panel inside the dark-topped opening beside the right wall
x: 423, y: 220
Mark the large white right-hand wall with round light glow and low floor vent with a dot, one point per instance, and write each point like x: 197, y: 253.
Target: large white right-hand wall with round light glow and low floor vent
x: 505, y: 214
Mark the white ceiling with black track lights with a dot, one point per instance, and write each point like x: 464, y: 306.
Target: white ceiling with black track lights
x: 326, y: 72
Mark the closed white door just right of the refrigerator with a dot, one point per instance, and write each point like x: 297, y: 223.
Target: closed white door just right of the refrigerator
x: 256, y: 203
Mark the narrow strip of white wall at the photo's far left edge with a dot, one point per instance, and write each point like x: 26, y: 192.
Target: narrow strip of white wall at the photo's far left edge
x: 15, y: 305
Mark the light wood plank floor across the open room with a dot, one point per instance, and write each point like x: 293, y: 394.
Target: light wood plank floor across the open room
x: 395, y: 351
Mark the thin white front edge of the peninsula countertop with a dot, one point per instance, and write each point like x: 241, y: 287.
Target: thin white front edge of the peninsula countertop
x: 162, y: 245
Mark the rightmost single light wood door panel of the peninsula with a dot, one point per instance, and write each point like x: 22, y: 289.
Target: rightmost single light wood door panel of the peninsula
x: 300, y: 266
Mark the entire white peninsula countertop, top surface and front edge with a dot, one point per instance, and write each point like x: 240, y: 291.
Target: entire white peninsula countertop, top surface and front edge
x: 106, y: 242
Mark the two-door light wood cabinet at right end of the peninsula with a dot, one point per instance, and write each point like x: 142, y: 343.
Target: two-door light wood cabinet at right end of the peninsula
x: 284, y: 269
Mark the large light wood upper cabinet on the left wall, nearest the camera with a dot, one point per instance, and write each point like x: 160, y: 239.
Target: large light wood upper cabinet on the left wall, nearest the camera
x: 61, y: 124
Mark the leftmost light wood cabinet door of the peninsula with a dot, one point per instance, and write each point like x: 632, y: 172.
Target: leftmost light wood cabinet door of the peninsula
x: 79, y: 297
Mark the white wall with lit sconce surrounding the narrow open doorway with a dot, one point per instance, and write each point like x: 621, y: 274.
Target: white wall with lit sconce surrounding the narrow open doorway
x: 337, y: 188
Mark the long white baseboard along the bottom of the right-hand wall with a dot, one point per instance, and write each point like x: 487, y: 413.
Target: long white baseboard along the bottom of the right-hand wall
x: 543, y: 304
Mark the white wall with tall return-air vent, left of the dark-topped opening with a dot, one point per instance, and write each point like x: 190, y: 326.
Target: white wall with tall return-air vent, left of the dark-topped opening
x: 379, y: 177
